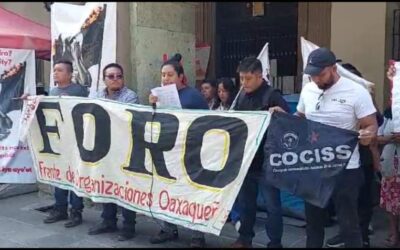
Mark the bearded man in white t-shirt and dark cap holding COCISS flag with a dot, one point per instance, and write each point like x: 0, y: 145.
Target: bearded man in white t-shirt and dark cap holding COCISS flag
x: 337, y: 101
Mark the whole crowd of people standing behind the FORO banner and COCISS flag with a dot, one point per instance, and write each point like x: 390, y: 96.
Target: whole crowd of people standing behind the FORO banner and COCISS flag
x: 329, y: 99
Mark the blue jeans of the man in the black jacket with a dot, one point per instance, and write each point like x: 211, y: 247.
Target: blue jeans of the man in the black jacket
x: 247, y: 201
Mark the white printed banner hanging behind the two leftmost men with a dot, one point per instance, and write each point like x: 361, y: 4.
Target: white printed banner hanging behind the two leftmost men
x: 85, y: 35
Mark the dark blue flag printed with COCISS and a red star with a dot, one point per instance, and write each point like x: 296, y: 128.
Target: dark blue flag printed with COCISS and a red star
x: 305, y: 157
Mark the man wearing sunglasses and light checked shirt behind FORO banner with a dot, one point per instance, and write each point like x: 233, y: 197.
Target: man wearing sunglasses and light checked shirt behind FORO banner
x: 113, y: 76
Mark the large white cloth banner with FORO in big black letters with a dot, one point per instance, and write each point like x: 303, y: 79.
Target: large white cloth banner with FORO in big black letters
x: 181, y: 166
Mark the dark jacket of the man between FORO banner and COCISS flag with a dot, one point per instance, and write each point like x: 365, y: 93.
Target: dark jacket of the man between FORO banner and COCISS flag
x: 261, y: 99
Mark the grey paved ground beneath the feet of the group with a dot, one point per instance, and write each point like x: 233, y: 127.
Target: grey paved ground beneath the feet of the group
x: 21, y: 226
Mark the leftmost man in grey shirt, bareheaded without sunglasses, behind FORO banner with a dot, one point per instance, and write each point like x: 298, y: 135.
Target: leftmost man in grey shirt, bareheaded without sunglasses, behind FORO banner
x: 63, y: 76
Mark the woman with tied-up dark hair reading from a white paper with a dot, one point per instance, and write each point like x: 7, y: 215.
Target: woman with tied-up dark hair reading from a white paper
x: 172, y: 73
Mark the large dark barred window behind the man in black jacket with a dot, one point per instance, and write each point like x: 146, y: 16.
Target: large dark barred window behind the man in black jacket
x: 241, y: 34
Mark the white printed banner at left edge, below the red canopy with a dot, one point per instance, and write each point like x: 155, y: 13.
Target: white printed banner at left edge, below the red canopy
x: 18, y: 76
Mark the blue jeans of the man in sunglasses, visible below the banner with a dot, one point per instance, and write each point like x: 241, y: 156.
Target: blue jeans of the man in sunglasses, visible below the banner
x: 109, y: 215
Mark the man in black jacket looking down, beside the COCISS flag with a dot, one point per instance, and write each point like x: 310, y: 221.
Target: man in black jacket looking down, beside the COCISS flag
x: 258, y: 95
